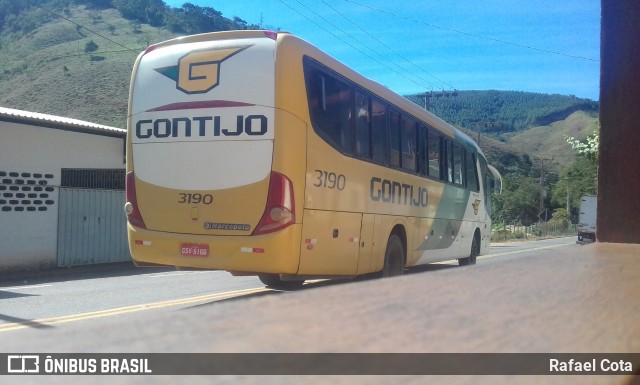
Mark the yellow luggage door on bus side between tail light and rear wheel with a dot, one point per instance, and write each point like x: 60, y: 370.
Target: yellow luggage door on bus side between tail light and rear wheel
x: 330, y: 243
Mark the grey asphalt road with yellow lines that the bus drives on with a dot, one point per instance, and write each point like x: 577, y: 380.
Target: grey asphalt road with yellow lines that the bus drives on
x: 101, y: 294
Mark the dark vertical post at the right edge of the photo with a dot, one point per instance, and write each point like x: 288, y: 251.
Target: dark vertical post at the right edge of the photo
x: 619, y: 151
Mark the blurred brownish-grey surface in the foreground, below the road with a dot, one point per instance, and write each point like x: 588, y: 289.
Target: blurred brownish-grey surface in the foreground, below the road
x: 580, y: 299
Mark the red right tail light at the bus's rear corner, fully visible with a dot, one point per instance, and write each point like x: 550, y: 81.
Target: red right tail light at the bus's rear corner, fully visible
x: 280, y: 210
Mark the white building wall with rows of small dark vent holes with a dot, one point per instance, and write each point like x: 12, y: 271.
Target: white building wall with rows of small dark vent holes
x: 28, y: 239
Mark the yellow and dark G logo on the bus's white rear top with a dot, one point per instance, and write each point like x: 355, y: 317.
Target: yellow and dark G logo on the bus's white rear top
x: 198, y: 72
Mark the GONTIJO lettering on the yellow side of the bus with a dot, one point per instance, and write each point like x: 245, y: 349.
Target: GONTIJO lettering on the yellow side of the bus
x: 389, y: 191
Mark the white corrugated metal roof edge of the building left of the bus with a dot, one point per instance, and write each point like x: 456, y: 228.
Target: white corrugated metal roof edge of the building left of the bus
x: 58, y: 122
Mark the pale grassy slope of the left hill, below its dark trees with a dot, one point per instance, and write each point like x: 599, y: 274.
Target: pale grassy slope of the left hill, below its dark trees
x: 48, y: 71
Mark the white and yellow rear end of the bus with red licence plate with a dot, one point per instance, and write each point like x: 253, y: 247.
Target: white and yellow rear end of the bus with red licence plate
x: 201, y: 189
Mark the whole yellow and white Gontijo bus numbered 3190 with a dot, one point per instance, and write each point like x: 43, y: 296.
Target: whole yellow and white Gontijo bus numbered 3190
x: 256, y: 153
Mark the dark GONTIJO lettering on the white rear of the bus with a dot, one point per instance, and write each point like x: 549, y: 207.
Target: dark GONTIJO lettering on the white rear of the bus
x: 254, y: 125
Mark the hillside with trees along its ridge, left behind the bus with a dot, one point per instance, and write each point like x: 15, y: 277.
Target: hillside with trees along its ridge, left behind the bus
x: 74, y: 57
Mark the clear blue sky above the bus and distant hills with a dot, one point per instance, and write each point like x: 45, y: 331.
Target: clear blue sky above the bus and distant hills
x: 413, y: 46
